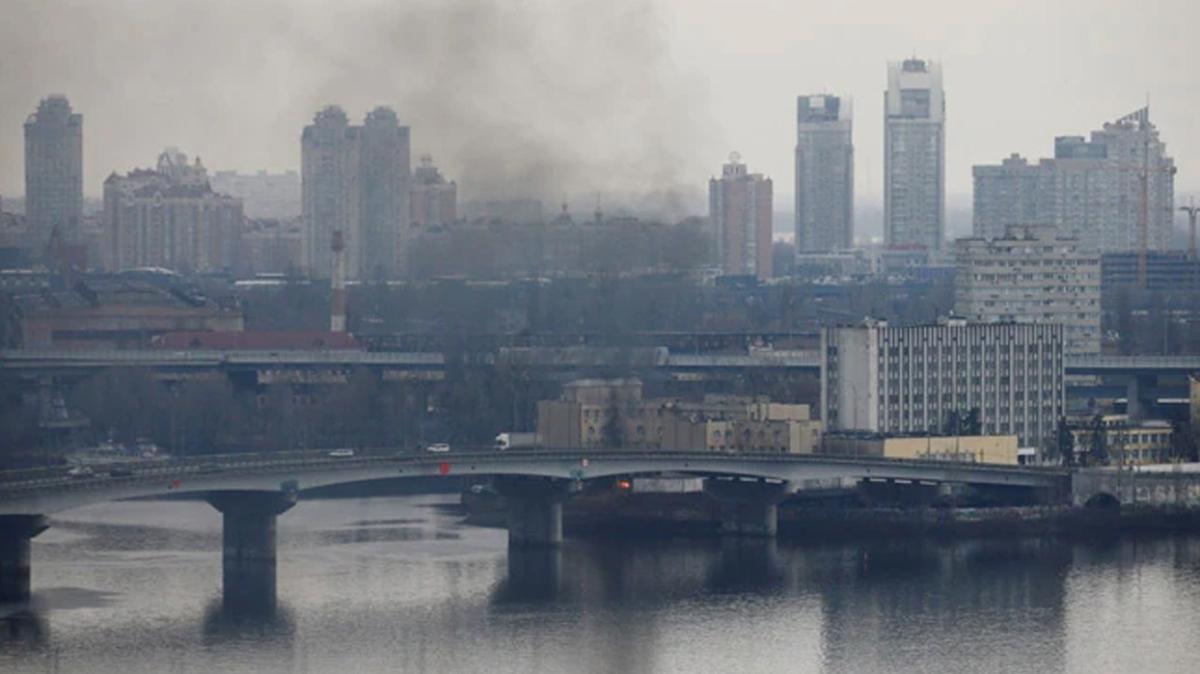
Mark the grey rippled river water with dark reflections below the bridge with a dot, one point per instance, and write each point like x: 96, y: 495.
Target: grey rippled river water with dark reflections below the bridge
x: 399, y: 585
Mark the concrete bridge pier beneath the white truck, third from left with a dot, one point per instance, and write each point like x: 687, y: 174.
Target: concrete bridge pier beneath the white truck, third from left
x: 536, y: 510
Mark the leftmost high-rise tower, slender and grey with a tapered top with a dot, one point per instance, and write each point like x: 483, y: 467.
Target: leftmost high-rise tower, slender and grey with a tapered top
x: 55, y: 170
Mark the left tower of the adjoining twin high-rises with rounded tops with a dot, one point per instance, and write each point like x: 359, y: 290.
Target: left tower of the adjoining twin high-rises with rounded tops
x: 329, y: 180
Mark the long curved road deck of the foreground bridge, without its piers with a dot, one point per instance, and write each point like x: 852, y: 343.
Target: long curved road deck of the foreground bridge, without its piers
x: 29, y: 494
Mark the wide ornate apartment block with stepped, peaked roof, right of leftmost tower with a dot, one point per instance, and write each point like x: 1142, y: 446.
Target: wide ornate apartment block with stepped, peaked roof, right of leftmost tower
x: 171, y: 218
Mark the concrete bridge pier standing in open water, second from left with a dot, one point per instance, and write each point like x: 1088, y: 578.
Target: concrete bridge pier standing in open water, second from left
x: 248, y: 569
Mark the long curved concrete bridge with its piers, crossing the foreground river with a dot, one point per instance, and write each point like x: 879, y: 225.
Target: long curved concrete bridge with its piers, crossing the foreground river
x: 251, y: 491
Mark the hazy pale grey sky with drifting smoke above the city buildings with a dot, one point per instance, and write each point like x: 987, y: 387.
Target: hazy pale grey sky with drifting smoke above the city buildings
x: 583, y: 98
